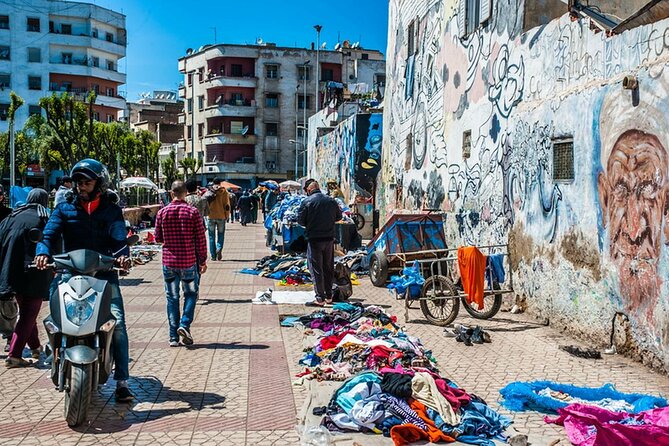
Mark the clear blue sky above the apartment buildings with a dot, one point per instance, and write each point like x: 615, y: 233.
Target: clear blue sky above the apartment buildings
x: 160, y: 31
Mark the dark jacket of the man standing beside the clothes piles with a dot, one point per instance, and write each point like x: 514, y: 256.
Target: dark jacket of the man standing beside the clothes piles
x: 318, y: 214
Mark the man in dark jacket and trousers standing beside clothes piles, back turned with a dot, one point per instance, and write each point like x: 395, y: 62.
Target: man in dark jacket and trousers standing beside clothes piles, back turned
x: 318, y: 214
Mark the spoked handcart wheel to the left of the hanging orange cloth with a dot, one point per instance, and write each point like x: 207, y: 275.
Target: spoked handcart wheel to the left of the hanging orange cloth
x: 439, y: 300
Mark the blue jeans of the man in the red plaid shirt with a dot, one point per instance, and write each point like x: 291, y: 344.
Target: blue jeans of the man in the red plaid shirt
x: 190, y: 281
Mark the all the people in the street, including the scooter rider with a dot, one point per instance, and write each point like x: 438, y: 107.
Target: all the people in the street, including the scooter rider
x: 86, y: 215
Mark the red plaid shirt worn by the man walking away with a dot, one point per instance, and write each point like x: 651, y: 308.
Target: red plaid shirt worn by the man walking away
x: 180, y: 229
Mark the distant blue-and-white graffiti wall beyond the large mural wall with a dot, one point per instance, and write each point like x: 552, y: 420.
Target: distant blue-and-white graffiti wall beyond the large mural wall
x: 350, y: 155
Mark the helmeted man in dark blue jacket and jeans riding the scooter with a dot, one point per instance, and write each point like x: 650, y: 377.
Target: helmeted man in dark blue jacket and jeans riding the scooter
x: 90, y: 219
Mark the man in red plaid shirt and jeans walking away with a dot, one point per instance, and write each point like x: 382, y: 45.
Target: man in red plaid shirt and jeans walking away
x: 180, y: 229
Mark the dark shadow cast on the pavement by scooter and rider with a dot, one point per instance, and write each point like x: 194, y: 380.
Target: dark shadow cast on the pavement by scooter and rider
x: 149, y: 393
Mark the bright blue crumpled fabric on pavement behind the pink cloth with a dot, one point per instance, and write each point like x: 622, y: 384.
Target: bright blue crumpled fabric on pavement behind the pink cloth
x: 519, y: 396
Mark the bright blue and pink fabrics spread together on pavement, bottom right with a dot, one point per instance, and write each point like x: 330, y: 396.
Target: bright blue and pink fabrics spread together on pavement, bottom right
x: 599, y: 416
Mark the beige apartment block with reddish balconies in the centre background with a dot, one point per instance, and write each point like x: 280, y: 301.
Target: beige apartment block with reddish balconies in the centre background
x: 247, y: 106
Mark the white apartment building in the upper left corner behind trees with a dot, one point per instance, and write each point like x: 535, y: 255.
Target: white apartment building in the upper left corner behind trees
x: 51, y: 46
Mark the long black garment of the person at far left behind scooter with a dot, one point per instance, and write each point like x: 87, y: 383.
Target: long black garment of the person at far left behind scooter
x: 17, y: 252
